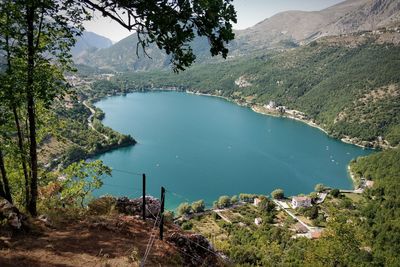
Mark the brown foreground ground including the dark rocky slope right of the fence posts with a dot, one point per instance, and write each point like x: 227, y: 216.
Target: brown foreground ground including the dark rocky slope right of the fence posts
x: 102, y: 240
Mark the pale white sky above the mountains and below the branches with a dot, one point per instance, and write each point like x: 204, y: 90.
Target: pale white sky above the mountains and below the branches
x: 249, y: 13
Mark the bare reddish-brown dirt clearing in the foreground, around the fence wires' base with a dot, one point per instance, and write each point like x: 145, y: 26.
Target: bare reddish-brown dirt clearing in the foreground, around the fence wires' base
x: 95, y: 241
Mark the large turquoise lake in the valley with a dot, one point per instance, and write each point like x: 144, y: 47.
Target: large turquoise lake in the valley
x: 201, y: 147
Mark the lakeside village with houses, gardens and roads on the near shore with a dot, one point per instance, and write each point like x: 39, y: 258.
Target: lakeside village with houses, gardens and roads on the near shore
x: 307, y: 214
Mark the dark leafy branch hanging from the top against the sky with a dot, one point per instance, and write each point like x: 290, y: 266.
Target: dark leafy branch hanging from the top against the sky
x: 172, y: 25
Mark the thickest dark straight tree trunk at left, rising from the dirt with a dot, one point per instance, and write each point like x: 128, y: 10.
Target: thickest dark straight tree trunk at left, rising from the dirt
x: 30, y: 16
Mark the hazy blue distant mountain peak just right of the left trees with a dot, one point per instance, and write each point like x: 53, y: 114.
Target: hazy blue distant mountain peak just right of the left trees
x: 89, y: 41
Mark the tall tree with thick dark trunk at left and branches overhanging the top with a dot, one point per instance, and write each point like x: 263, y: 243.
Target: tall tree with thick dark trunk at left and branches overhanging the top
x: 44, y: 31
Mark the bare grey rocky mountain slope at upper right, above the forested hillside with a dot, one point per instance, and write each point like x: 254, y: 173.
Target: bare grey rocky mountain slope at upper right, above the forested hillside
x: 344, y: 18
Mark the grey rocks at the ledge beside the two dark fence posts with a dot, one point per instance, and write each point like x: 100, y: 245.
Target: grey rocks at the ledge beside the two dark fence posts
x: 134, y: 206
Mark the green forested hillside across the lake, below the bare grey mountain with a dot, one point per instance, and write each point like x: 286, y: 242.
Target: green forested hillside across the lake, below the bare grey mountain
x: 349, y: 85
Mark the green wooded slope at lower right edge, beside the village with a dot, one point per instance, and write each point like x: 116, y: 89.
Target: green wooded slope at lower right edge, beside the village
x: 381, y: 210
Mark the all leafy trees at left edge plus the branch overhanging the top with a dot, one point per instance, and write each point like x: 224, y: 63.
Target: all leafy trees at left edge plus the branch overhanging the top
x: 36, y: 37
